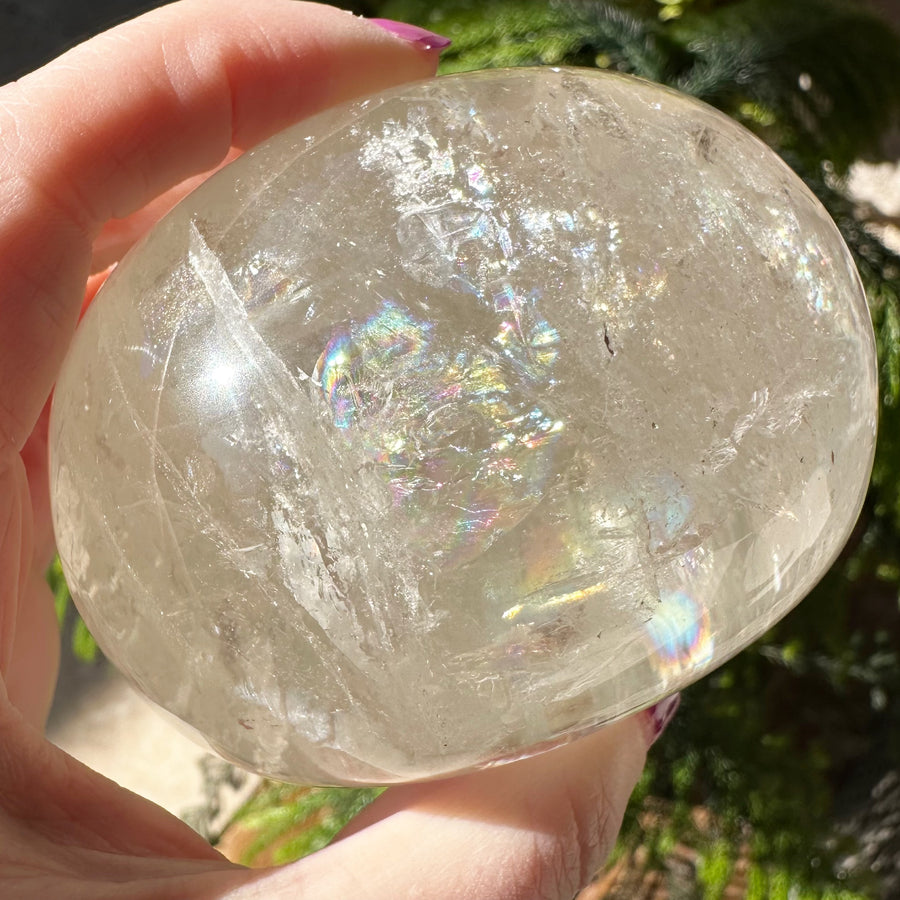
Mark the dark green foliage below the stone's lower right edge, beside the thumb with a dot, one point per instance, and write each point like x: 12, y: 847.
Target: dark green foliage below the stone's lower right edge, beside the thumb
x: 765, y: 744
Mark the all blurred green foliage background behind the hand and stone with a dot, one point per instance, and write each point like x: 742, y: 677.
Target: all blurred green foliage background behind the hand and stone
x: 780, y: 777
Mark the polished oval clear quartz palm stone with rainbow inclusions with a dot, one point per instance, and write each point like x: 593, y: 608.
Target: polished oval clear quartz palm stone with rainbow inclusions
x: 455, y: 422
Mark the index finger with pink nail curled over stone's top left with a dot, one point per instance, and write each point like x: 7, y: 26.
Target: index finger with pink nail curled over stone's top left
x: 120, y: 119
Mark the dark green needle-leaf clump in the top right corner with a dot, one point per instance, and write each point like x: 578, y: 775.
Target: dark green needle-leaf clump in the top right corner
x: 820, y: 71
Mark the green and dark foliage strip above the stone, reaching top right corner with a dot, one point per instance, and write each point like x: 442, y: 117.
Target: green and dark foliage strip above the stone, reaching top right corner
x: 816, y: 78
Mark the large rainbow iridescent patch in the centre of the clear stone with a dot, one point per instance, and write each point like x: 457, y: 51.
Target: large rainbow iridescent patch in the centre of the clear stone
x: 453, y: 434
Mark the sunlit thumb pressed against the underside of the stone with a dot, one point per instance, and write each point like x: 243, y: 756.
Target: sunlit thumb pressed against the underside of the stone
x: 538, y: 828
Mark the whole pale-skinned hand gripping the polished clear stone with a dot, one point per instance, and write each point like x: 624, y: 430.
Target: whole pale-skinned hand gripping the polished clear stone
x: 112, y: 126
